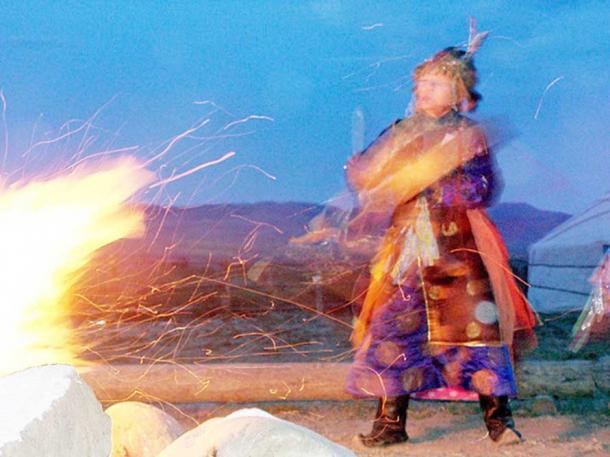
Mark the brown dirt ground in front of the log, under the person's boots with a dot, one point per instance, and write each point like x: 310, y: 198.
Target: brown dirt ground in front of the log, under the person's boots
x: 438, y: 429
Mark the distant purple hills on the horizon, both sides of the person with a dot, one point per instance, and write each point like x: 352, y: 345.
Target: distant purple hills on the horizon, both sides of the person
x: 242, y: 230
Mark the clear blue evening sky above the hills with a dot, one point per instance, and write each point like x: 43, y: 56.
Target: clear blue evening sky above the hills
x: 308, y: 65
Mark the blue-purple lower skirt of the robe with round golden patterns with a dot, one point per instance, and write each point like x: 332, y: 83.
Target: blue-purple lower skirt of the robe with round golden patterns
x: 399, y: 360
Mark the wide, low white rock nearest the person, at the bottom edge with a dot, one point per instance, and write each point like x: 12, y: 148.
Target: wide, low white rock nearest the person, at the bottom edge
x: 253, y: 433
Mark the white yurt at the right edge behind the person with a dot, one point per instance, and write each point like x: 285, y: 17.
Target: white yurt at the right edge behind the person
x: 561, y: 263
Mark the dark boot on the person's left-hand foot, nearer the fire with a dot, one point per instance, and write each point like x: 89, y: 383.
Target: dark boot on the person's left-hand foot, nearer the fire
x: 390, y: 422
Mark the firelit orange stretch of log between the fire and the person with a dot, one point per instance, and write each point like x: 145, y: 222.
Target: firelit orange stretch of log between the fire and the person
x: 218, y: 382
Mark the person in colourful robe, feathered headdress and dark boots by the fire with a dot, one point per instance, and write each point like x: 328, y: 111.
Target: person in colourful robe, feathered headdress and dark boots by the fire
x: 442, y: 308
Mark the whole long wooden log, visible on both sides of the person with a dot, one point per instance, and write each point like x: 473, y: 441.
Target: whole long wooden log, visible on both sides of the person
x: 240, y: 383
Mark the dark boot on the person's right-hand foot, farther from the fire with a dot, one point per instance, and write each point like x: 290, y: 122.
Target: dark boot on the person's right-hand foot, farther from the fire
x: 499, y: 420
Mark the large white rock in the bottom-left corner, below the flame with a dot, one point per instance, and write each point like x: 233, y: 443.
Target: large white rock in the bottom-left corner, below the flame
x: 49, y: 411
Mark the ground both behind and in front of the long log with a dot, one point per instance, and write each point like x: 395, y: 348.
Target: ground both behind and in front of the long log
x: 247, y: 326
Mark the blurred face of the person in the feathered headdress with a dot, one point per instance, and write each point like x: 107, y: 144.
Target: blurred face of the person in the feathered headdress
x: 435, y: 94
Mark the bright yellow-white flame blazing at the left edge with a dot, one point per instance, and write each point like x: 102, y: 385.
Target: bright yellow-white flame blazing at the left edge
x: 48, y: 232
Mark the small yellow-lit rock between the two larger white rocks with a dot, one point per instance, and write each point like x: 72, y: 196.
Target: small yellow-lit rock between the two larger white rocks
x: 141, y: 430
